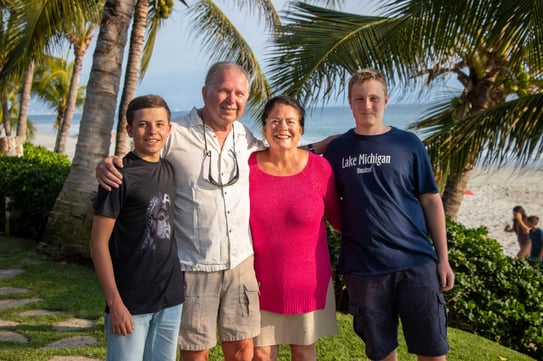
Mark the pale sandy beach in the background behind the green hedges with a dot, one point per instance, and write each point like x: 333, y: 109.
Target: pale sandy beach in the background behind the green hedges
x: 493, y: 194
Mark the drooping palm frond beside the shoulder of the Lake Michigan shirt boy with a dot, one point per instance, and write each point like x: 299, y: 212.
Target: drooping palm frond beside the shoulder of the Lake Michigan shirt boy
x: 509, y: 133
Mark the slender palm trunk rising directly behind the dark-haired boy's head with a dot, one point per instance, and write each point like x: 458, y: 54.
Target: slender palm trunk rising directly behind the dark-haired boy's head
x: 131, y: 74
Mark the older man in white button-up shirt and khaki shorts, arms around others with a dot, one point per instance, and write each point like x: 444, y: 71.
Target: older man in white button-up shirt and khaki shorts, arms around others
x: 209, y: 150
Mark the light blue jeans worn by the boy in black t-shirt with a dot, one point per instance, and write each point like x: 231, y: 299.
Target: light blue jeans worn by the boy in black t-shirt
x: 154, y: 338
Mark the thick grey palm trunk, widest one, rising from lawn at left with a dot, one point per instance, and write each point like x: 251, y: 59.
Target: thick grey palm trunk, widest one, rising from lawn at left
x: 69, y: 224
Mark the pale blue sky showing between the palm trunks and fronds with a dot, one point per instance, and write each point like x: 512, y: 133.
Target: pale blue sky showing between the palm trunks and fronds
x: 178, y: 65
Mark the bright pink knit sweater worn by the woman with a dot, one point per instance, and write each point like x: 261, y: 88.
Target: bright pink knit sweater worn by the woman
x: 292, y: 263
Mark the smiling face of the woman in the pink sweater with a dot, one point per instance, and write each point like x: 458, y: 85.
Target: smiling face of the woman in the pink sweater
x: 282, y: 127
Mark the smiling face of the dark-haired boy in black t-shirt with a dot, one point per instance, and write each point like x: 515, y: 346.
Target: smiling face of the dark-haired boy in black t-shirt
x: 150, y: 128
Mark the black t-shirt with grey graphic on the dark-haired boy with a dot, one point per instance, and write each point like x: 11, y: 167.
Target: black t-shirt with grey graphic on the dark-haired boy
x: 142, y: 245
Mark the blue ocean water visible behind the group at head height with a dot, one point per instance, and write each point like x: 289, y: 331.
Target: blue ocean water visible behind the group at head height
x: 319, y: 122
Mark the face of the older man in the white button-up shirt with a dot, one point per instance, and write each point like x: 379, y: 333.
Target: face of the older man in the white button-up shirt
x: 225, y: 97
